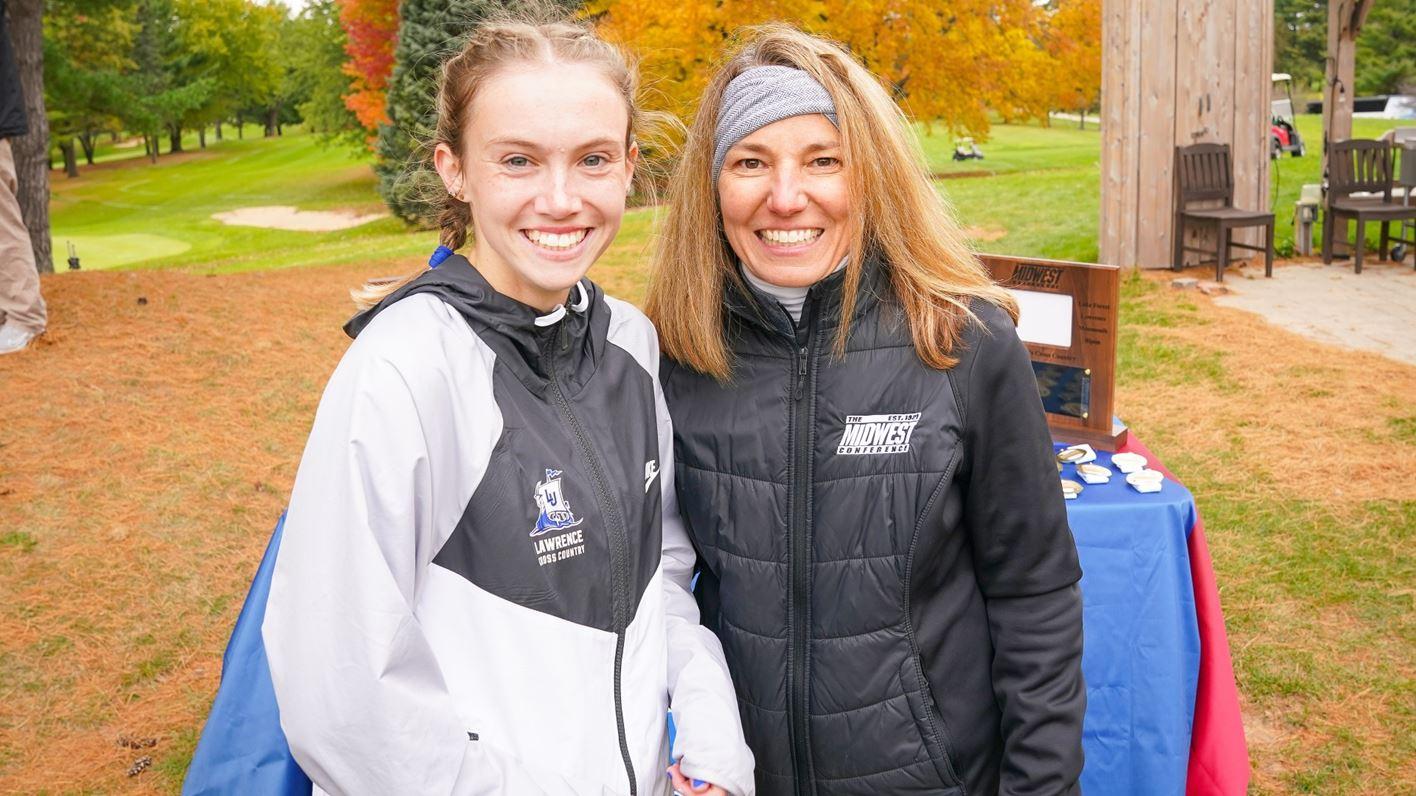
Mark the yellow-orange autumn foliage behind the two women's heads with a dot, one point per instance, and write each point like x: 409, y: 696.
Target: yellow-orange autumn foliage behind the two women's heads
x: 948, y: 62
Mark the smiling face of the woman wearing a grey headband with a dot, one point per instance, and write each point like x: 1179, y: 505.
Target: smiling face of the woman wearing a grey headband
x: 785, y: 200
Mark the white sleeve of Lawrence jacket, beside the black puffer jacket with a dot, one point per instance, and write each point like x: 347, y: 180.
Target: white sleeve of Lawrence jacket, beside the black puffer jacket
x: 709, y: 740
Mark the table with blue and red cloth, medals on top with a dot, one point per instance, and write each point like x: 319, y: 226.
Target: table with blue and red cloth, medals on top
x: 1162, y: 705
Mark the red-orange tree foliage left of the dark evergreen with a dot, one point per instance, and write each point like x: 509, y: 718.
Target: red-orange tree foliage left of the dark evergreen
x: 372, y: 30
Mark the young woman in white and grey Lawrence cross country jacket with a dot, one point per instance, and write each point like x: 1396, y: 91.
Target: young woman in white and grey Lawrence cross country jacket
x: 484, y: 584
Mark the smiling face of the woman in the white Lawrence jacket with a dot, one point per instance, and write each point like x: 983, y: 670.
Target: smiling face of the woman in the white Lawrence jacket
x: 546, y: 171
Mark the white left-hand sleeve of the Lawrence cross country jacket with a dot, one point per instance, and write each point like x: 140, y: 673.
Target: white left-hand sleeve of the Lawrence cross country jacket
x: 363, y: 700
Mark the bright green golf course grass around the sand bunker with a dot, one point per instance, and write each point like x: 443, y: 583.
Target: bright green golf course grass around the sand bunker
x: 142, y: 215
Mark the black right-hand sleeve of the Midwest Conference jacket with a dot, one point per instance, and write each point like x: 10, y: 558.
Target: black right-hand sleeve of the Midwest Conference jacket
x: 1027, y: 567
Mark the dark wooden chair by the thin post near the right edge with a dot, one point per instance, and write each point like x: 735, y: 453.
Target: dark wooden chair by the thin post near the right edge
x: 1364, y: 168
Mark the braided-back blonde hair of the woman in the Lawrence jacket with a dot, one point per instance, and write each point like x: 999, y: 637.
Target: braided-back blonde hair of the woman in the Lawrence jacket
x: 540, y: 35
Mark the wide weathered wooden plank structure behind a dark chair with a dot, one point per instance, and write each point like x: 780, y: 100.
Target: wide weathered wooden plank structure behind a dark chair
x: 1179, y: 73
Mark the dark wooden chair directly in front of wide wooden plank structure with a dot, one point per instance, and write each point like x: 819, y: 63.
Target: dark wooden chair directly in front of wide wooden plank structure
x: 1206, y: 174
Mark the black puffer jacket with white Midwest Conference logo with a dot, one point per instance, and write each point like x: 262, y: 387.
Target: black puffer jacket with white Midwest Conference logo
x: 886, y: 553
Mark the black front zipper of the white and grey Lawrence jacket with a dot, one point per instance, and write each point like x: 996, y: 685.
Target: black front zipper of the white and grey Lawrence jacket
x: 619, y: 547
